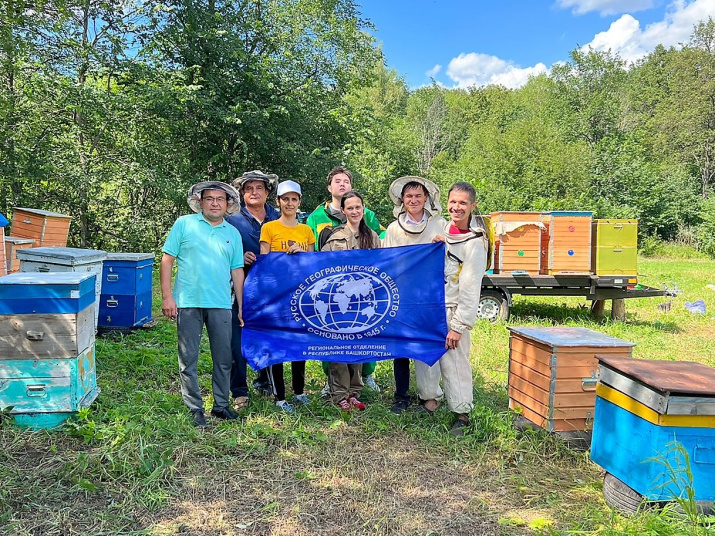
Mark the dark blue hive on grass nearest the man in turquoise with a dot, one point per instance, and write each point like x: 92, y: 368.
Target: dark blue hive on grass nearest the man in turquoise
x: 126, y: 298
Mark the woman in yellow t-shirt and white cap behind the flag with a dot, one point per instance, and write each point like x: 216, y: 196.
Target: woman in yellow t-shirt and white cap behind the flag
x: 286, y: 234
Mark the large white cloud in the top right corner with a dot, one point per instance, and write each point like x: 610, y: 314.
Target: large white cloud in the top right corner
x: 626, y: 37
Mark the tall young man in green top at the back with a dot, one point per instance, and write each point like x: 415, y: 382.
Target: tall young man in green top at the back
x: 328, y: 215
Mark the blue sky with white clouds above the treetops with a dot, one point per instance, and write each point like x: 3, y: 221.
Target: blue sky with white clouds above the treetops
x: 462, y: 43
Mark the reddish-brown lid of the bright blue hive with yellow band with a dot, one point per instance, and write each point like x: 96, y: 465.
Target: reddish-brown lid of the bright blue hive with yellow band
x: 671, y: 377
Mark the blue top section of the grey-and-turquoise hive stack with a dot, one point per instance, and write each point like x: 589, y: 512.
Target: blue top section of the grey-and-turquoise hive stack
x: 52, y: 292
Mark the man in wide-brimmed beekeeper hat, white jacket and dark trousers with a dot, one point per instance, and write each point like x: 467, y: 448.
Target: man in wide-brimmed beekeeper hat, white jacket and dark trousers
x: 418, y: 220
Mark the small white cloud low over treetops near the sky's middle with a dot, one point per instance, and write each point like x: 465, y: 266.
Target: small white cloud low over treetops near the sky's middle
x: 475, y: 69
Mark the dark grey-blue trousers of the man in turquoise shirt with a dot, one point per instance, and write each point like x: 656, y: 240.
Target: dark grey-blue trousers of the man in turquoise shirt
x: 189, y: 327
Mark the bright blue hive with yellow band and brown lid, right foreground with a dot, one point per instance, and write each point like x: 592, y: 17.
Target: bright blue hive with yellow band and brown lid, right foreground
x: 655, y: 425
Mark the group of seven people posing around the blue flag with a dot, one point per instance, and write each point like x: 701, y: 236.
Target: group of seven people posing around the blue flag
x: 215, y: 247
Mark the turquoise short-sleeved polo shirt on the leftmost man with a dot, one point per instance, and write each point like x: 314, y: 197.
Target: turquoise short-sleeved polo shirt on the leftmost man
x: 205, y: 255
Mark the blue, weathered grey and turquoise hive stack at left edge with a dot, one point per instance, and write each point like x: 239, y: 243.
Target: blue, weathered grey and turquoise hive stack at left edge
x: 47, y: 350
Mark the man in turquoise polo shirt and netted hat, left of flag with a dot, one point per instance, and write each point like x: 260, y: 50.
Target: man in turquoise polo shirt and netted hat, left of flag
x: 209, y: 254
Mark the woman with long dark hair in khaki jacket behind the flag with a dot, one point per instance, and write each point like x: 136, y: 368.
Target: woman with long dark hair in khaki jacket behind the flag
x: 345, y: 380
